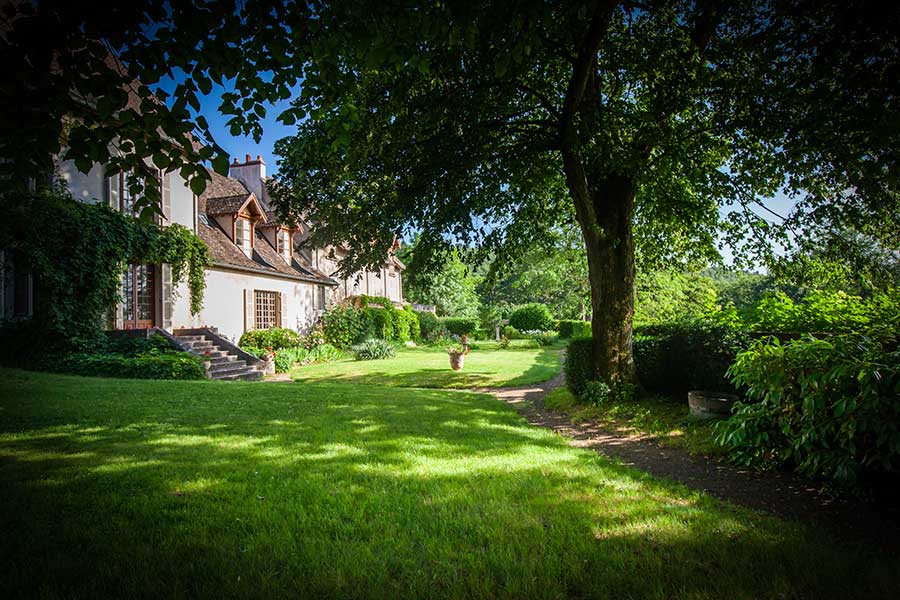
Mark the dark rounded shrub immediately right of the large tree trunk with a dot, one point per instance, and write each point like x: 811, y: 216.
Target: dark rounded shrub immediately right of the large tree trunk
x: 674, y: 358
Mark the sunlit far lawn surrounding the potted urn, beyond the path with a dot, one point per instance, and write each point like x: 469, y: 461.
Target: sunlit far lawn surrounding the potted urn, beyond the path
x: 487, y: 365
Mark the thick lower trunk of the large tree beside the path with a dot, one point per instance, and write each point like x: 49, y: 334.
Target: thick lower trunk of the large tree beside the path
x: 610, y: 252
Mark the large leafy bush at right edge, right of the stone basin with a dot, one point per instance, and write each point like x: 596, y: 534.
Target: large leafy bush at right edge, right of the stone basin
x: 829, y: 407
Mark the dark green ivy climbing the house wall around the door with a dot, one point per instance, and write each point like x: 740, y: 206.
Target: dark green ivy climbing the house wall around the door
x: 77, y: 253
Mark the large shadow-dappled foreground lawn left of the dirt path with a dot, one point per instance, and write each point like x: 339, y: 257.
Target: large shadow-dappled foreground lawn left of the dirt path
x: 115, y: 488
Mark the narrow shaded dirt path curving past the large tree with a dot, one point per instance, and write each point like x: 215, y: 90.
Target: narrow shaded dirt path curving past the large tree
x: 783, y: 494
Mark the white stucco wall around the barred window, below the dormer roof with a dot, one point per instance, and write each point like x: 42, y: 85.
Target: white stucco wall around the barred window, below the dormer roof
x: 223, y: 305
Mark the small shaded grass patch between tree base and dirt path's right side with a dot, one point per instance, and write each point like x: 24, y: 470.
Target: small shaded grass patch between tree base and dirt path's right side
x: 666, y: 419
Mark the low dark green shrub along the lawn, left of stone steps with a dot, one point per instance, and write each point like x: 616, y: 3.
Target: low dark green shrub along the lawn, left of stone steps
x: 151, y: 364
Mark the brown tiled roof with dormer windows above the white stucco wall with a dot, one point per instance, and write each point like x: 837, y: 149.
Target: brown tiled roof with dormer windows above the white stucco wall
x: 265, y: 260
